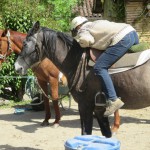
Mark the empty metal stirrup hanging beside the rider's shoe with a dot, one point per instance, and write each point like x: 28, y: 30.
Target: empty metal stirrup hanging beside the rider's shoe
x: 102, y: 100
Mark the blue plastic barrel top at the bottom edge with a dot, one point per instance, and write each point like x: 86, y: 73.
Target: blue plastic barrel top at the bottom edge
x: 91, y: 142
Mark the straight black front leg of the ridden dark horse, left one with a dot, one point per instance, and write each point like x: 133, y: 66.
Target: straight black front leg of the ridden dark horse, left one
x: 86, y: 118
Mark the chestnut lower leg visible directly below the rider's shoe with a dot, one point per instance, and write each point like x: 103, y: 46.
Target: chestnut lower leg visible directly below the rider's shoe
x: 116, y: 124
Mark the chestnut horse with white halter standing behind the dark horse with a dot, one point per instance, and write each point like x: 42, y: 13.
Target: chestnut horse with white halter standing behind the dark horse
x: 45, y: 72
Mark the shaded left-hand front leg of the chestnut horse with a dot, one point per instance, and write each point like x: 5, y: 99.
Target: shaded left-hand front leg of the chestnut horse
x: 44, y: 87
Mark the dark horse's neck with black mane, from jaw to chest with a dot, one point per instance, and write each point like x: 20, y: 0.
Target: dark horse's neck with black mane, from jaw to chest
x: 65, y: 53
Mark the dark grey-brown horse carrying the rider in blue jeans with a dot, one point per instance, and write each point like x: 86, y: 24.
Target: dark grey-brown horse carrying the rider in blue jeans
x: 132, y: 85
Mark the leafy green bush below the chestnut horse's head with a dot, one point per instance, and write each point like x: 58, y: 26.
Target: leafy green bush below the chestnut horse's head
x: 7, y: 80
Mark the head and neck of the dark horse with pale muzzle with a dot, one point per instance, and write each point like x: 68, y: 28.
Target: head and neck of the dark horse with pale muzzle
x: 42, y: 42
